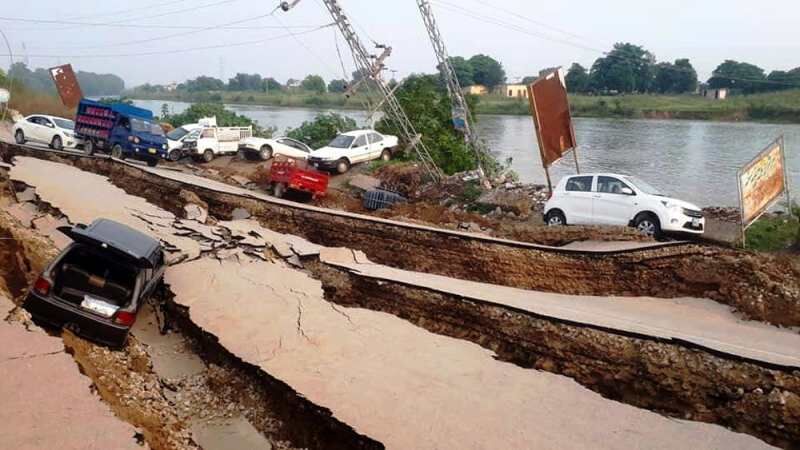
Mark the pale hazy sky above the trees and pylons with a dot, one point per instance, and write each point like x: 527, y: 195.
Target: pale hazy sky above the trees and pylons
x: 188, y: 38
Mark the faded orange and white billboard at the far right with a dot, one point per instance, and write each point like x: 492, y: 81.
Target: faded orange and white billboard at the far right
x: 762, y: 182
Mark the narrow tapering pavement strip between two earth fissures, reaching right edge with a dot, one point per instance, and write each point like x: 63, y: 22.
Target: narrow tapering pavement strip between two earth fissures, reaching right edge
x: 699, y: 321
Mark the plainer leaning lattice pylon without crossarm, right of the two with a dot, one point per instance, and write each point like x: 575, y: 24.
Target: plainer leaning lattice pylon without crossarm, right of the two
x: 462, y: 119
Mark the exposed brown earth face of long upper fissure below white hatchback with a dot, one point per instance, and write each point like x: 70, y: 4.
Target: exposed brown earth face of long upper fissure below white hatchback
x: 758, y: 286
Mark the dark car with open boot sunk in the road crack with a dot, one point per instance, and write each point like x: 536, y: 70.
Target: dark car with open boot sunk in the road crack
x: 96, y: 286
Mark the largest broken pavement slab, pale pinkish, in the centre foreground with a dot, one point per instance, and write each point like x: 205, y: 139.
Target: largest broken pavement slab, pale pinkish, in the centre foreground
x: 371, y: 369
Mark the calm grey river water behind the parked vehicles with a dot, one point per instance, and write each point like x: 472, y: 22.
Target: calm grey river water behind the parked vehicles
x: 692, y: 160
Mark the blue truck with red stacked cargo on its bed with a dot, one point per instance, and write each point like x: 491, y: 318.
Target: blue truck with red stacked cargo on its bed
x: 123, y: 130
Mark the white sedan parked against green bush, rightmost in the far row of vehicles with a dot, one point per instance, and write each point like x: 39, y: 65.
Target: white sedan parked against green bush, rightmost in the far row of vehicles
x: 352, y: 148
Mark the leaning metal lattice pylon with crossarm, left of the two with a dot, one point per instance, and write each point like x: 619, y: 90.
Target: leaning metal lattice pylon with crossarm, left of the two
x: 373, y: 66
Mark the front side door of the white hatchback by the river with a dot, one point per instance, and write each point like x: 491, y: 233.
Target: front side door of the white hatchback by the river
x: 614, y: 202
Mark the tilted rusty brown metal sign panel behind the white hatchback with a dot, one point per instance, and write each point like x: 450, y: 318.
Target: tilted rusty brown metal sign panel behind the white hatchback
x: 550, y: 110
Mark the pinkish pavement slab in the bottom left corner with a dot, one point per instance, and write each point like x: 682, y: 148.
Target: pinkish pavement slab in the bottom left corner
x: 47, y: 403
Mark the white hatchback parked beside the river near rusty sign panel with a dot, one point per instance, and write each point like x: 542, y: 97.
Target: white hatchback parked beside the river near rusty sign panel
x: 611, y: 199
